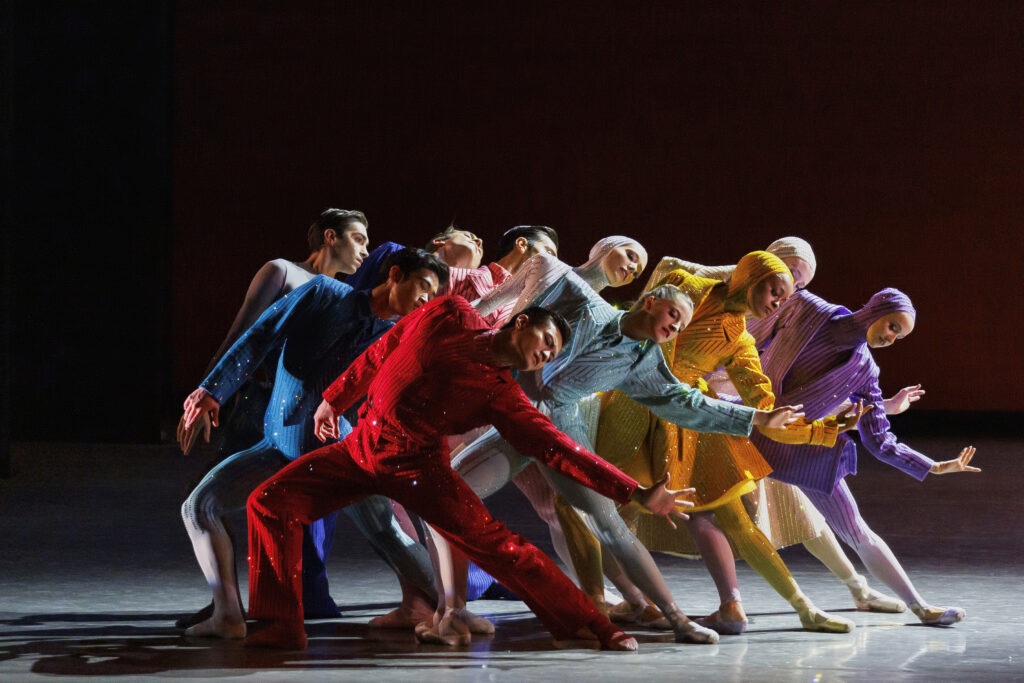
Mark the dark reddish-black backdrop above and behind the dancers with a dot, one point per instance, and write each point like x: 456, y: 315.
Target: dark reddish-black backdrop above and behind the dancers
x: 157, y: 154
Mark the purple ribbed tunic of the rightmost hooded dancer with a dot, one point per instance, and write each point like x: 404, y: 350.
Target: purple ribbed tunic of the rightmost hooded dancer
x: 808, y: 356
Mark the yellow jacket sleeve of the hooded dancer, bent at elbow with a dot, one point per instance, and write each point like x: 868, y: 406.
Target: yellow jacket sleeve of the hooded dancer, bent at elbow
x: 755, y: 390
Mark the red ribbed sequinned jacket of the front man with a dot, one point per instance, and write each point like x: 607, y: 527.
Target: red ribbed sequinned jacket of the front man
x: 428, y: 378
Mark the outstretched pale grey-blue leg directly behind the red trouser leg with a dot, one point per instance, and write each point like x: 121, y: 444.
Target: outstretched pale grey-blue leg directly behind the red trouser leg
x: 604, y: 521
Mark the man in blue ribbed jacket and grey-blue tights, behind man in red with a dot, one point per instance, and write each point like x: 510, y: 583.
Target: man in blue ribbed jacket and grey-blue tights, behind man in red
x: 321, y: 328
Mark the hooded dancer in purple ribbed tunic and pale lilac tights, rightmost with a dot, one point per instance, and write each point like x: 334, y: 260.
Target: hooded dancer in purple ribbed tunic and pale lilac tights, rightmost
x: 818, y: 355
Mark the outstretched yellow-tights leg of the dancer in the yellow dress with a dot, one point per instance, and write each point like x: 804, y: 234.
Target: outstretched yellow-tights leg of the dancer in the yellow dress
x: 761, y: 556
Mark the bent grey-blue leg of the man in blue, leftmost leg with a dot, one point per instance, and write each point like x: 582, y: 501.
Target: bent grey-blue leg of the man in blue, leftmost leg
x: 224, y: 490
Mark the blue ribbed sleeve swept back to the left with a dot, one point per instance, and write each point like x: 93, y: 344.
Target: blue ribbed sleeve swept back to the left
x: 295, y: 310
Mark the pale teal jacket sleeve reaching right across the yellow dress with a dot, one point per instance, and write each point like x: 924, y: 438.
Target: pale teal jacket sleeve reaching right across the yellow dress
x: 654, y: 386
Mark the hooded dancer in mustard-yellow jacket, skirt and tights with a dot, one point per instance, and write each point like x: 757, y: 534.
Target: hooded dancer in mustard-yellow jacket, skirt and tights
x: 721, y: 468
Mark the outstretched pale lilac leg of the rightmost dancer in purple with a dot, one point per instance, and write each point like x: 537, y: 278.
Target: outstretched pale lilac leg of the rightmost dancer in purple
x: 840, y: 509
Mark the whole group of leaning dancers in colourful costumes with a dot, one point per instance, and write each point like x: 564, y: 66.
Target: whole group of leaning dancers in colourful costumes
x: 404, y: 386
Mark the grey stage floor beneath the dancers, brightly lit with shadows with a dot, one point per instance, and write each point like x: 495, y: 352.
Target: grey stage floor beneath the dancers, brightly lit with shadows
x: 97, y: 567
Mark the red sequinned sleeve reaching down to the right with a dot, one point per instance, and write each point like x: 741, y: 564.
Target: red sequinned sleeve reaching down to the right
x: 533, y: 435
